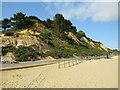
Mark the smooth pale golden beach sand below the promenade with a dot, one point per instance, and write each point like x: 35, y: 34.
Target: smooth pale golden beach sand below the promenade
x: 102, y: 73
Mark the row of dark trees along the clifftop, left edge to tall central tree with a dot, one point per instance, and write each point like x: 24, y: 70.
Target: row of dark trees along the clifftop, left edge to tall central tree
x: 20, y: 21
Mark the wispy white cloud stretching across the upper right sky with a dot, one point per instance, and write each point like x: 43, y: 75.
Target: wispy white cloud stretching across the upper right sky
x: 103, y: 12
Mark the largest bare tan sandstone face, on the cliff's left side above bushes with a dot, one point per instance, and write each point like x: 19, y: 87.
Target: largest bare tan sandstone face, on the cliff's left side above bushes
x: 26, y: 40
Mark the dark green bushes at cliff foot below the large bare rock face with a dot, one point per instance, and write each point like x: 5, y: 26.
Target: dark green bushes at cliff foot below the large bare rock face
x: 22, y: 53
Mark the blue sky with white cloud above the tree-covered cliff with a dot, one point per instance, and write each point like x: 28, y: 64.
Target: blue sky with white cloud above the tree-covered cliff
x: 97, y: 20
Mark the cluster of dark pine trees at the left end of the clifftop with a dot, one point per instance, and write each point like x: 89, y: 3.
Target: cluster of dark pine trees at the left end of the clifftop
x: 19, y: 21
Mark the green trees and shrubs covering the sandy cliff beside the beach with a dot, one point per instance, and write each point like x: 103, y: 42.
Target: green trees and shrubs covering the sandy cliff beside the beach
x: 59, y: 33
